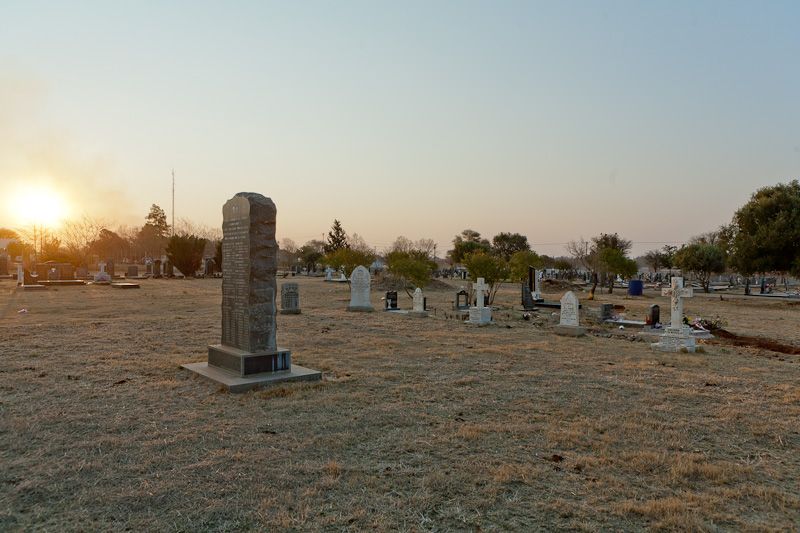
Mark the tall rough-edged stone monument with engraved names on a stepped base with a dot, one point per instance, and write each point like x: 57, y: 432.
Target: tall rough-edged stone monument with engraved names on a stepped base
x: 248, y: 355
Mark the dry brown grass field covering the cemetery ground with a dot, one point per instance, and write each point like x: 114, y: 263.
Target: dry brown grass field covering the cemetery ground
x: 418, y: 424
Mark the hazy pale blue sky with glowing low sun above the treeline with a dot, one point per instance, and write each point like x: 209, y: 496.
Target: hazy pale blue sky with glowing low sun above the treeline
x: 557, y: 120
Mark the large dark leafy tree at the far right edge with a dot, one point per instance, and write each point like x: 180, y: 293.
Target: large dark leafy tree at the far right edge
x: 765, y: 232
